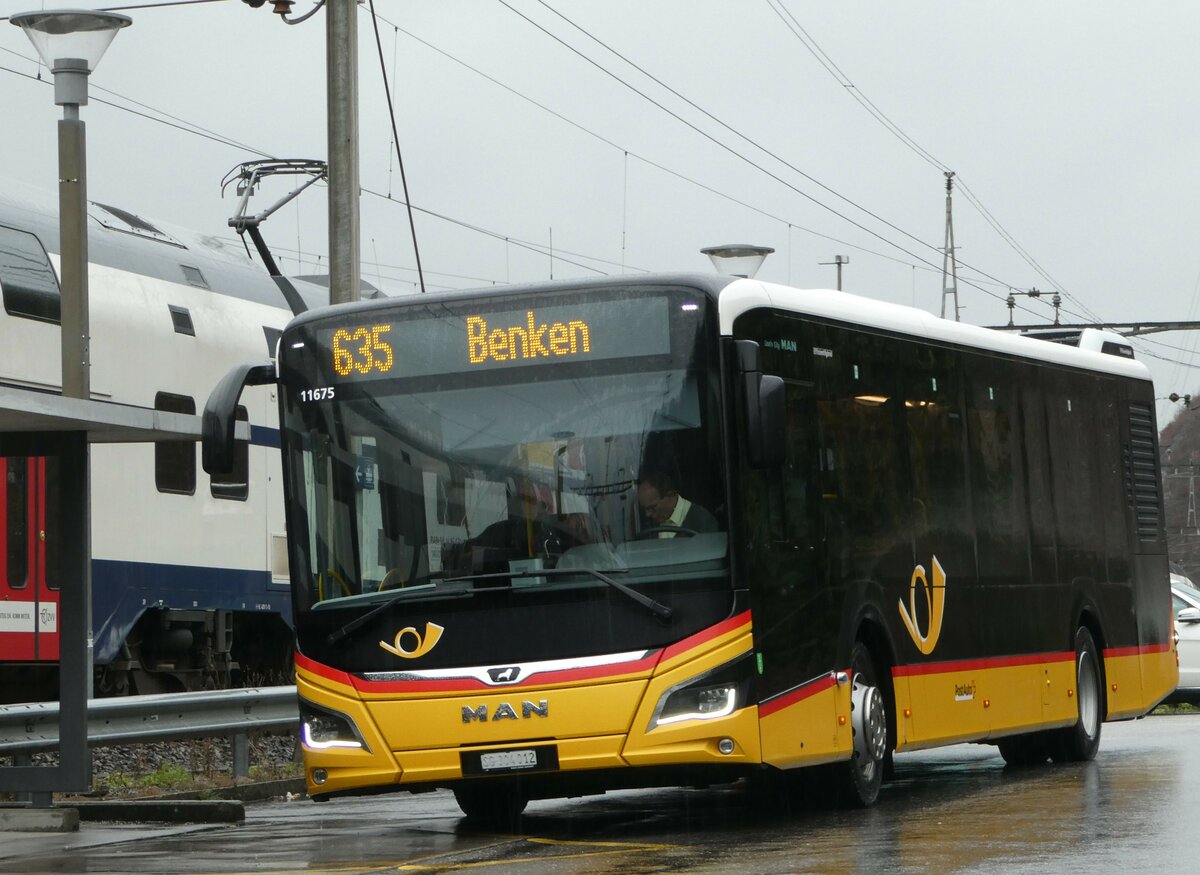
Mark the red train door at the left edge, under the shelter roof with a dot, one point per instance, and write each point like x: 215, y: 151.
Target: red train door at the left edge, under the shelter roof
x: 29, y: 591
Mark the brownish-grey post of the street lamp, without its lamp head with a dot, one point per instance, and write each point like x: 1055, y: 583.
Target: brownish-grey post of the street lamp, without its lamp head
x: 74, y: 254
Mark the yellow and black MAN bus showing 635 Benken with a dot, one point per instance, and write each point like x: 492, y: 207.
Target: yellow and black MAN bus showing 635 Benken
x: 548, y: 541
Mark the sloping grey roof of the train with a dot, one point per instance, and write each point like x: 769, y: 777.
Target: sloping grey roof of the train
x: 123, y: 239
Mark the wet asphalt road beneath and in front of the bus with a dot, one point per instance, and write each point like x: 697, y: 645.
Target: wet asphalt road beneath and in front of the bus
x: 953, y: 811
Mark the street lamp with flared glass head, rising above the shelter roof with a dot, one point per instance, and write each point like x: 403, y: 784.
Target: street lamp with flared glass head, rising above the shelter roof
x: 71, y: 44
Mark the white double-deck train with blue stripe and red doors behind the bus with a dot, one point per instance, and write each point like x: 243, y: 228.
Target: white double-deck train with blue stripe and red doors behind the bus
x: 190, y: 580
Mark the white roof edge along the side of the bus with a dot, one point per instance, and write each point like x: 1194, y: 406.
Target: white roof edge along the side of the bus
x: 742, y: 296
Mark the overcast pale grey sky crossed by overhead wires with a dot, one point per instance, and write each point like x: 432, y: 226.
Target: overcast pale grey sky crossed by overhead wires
x: 1071, y: 123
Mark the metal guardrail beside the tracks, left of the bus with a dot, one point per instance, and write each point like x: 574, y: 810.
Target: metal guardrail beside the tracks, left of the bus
x: 28, y: 729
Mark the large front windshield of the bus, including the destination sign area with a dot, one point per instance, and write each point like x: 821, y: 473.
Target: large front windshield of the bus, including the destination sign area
x: 431, y: 482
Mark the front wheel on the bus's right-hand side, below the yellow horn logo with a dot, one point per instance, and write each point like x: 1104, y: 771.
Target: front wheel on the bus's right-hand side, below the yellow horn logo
x: 861, y: 778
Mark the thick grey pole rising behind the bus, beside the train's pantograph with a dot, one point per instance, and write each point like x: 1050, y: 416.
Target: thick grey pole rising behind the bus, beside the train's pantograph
x: 343, y: 99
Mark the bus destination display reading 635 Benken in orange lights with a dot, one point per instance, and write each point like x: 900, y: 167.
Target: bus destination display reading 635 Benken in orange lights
x: 484, y: 340
